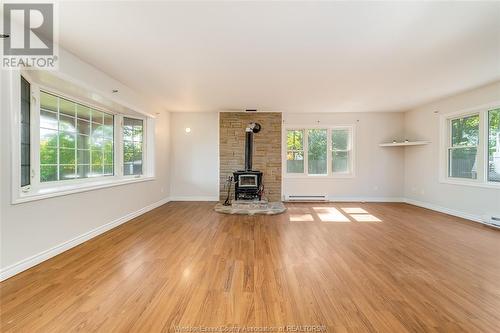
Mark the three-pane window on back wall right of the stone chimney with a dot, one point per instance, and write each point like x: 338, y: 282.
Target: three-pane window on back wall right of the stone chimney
x: 320, y: 152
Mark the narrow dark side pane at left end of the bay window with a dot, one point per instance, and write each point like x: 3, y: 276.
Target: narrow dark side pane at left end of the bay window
x: 25, y: 132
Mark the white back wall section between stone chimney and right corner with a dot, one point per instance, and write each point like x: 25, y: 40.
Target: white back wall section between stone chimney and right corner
x: 379, y: 171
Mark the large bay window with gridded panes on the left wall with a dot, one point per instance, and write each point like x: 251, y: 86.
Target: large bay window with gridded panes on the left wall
x: 64, y: 144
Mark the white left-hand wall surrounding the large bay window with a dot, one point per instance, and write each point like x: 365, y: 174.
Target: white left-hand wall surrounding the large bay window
x: 44, y: 226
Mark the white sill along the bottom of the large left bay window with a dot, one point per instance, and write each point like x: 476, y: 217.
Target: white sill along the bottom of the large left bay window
x: 65, y: 189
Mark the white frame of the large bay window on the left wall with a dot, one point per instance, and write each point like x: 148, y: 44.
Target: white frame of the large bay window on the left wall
x: 40, y: 190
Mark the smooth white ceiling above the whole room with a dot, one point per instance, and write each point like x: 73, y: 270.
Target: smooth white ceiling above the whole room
x: 288, y: 56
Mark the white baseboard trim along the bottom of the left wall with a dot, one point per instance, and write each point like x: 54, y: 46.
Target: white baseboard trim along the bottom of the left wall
x: 27, y: 263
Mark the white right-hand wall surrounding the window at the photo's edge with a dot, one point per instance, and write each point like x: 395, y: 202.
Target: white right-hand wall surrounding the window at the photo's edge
x: 422, y: 163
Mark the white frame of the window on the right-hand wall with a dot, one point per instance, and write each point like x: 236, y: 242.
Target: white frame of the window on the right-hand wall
x: 482, y: 147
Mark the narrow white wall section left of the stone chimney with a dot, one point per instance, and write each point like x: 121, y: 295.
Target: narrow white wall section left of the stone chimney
x: 194, y: 170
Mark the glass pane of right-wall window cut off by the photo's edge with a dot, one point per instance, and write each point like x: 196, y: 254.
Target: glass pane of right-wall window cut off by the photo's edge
x: 494, y: 145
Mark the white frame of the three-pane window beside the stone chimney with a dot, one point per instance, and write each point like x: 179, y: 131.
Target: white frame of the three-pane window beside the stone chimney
x: 330, y: 173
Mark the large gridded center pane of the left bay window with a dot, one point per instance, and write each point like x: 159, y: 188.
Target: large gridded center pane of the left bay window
x: 76, y: 141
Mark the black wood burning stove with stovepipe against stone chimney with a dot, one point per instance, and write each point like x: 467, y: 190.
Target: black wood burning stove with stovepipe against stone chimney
x: 248, y: 182
